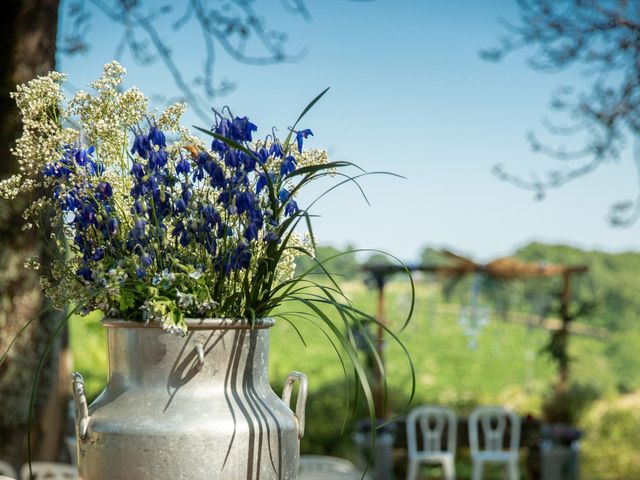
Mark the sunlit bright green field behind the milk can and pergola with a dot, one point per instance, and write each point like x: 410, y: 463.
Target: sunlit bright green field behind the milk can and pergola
x: 506, y: 366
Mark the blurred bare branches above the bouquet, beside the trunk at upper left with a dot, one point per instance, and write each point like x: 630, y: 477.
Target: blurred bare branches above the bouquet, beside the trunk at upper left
x: 233, y: 26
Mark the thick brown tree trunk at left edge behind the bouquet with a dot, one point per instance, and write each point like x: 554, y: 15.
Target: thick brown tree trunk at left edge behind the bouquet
x: 28, y: 44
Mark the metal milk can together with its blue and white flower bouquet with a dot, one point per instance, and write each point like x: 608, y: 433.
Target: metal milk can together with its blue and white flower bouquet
x: 158, y: 229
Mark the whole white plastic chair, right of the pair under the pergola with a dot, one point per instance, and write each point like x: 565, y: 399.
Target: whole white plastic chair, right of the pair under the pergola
x: 492, y: 422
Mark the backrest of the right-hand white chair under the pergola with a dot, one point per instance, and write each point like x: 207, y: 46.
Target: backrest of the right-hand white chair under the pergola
x: 493, y: 422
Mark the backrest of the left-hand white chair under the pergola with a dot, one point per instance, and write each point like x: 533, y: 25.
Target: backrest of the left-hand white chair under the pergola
x: 432, y: 421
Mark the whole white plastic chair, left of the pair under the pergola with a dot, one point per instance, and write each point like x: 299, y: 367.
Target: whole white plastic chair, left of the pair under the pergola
x: 432, y: 421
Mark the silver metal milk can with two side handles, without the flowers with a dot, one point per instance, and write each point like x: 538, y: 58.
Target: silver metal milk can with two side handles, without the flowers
x: 195, y: 408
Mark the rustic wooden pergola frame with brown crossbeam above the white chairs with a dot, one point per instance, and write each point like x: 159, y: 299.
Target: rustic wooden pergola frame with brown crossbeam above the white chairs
x: 505, y: 268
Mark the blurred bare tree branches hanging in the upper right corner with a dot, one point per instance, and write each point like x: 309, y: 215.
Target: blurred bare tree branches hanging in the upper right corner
x: 602, y: 37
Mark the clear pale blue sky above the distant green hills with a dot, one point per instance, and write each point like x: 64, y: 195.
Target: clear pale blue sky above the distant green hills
x: 409, y: 94
